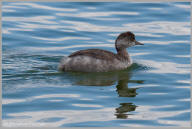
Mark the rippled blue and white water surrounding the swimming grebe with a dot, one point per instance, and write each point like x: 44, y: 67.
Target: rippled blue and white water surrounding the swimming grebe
x: 154, y: 91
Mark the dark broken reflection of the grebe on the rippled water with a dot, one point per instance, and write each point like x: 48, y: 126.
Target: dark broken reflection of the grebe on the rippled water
x: 122, y: 78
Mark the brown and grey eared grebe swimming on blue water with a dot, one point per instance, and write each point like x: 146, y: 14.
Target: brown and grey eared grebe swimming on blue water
x: 97, y: 60
